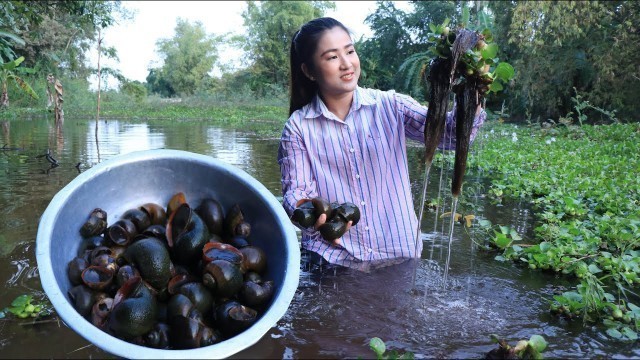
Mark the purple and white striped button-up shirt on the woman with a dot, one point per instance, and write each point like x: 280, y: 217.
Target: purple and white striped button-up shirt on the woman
x: 362, y: 160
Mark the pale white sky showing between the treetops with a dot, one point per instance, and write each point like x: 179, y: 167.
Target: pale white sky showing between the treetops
x: 135, y: 39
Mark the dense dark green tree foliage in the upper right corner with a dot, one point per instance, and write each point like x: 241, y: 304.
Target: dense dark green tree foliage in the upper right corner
x: 591, y: 46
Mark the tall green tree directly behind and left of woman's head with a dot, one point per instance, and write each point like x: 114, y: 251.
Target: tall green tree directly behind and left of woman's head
x: 270, y: 26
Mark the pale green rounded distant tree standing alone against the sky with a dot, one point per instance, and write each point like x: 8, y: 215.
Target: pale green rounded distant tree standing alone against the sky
x: 188, y: 58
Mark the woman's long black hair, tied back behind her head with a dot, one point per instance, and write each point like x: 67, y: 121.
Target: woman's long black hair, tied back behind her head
x: 303, y: 46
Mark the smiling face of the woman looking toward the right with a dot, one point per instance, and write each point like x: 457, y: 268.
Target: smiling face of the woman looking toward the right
x: 336, y: 64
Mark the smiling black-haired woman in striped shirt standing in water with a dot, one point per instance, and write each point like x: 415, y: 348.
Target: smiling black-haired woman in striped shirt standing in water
x: 348, y: 144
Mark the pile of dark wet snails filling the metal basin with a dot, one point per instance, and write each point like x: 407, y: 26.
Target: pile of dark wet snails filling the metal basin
x: 170, y: 278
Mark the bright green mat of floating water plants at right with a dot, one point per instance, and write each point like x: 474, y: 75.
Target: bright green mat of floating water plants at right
x: 588, y: 207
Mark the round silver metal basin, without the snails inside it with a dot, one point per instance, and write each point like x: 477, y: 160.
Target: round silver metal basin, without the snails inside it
x: 133, y: 179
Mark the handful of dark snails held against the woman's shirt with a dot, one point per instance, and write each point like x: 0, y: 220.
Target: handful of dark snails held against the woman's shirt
x: 338, y: 215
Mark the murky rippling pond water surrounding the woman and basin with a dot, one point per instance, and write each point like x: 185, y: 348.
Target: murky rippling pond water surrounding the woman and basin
x: 332, y: 315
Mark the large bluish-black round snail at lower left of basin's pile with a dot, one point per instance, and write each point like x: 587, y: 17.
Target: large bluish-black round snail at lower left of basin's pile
x: 134, y: 310
